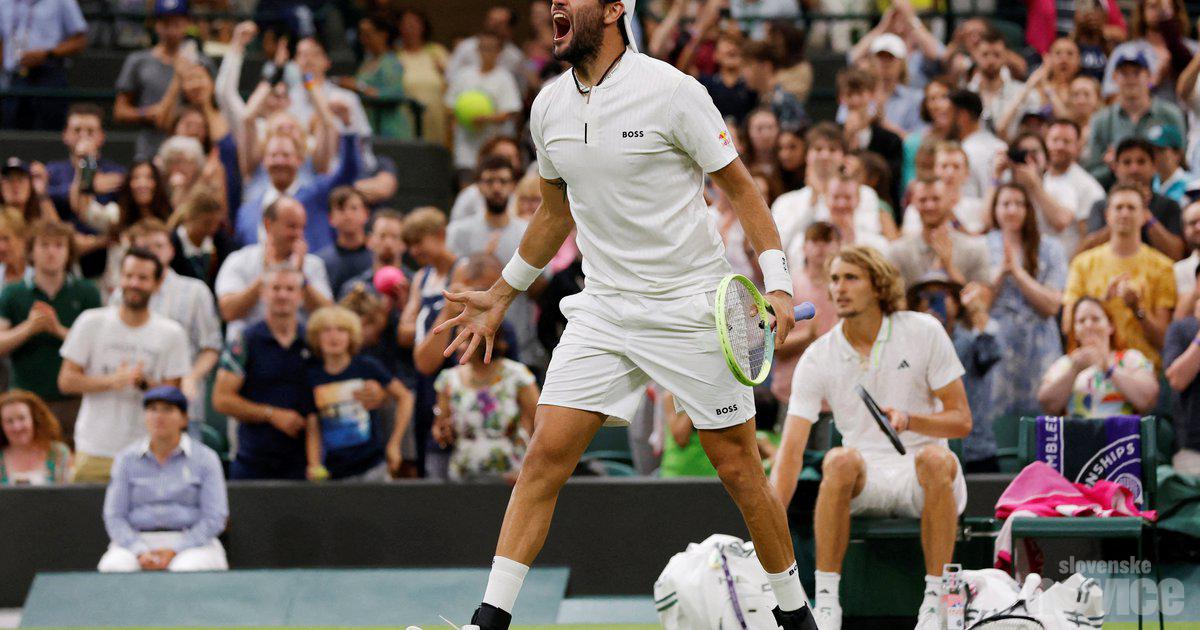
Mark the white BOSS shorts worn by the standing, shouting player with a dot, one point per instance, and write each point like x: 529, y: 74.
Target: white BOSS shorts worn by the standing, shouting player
x: 615, y: 345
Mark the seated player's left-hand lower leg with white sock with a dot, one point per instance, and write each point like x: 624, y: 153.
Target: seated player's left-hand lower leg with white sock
x: 843, y: 478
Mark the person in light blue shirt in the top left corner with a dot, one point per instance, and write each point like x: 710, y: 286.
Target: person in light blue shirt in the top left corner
x: 38, y: 37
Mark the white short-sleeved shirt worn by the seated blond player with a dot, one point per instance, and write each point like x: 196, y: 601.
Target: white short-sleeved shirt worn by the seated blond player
x: 913, y: 358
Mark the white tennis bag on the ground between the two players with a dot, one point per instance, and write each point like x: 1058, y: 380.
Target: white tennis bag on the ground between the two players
x: 717, y: 585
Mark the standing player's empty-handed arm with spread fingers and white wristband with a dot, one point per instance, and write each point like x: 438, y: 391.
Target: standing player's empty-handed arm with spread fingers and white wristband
x: 484, y: 310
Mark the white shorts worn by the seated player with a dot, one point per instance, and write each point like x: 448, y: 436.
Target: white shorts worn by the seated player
x: 892, y: 489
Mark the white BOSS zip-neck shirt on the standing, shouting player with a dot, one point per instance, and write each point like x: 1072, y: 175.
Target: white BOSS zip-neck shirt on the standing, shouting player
x: 635, y: 182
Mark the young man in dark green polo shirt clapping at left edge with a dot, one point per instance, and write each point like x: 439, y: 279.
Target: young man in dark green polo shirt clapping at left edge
x: 37, y: 314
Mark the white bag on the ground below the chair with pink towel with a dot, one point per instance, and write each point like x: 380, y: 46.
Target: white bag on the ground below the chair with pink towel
x: 995, y: 602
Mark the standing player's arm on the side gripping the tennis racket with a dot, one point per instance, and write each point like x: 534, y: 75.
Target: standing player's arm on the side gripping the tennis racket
x: 735, y: 181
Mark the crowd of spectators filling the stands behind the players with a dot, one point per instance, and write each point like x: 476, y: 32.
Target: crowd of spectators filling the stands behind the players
x: 1036, y: 196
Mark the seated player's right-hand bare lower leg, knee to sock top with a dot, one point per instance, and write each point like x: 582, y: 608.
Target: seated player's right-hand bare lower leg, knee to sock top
x: 939, y: 520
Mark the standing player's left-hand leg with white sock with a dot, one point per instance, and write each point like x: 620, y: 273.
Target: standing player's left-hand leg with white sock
x: 560, y: 440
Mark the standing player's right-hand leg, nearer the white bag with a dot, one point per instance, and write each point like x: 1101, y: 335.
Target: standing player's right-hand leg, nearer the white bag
x: 735, y: 454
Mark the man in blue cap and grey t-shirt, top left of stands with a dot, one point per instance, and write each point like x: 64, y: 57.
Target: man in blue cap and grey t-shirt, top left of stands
x: 147, y: 75
